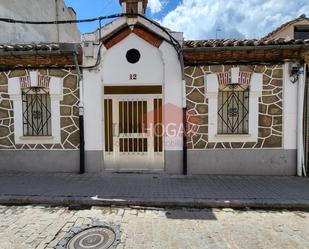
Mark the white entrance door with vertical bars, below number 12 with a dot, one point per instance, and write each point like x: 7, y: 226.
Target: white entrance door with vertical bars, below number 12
x: 133, y: 133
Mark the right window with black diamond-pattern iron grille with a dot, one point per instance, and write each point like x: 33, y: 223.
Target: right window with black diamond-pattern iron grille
x: 233, y: 109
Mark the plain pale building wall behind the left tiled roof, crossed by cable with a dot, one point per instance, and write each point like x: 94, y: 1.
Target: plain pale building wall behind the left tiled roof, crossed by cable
x: 34, y: 10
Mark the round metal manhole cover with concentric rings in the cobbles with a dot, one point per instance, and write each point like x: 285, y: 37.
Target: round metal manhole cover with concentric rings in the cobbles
x: 93, y: 238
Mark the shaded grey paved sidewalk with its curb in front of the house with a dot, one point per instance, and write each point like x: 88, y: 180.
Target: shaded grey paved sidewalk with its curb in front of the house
x: 155, y: 190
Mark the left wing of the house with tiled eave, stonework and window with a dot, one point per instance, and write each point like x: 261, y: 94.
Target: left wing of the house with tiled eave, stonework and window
x: 39, y: 127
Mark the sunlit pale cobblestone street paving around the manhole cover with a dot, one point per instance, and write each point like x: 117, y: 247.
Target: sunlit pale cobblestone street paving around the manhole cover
x: 43, y: 227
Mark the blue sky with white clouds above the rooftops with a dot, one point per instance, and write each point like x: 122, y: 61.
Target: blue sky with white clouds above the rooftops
x: 205, y: 19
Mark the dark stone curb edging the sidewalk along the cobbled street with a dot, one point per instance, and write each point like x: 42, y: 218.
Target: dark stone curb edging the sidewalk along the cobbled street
x: 158, y: 202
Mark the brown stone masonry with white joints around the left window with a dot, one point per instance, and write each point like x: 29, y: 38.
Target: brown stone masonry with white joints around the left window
x: 68, y: 112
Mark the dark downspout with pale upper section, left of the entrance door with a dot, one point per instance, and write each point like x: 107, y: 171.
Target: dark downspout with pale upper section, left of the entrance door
x: 81, y: 118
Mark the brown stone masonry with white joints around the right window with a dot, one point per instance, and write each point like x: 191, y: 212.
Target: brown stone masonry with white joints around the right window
x: 270, y: 107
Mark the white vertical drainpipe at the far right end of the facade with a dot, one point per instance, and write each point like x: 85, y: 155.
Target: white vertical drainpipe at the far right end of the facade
x: 300, y: 115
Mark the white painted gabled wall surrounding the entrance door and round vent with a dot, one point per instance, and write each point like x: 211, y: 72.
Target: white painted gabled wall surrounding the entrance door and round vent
x: 156, y: 66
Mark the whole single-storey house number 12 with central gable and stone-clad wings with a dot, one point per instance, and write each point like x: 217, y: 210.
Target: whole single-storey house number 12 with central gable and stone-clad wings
x: 241, y: 102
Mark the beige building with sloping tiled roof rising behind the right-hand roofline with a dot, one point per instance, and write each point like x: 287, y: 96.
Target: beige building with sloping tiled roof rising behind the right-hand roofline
x: 295, y: 29
